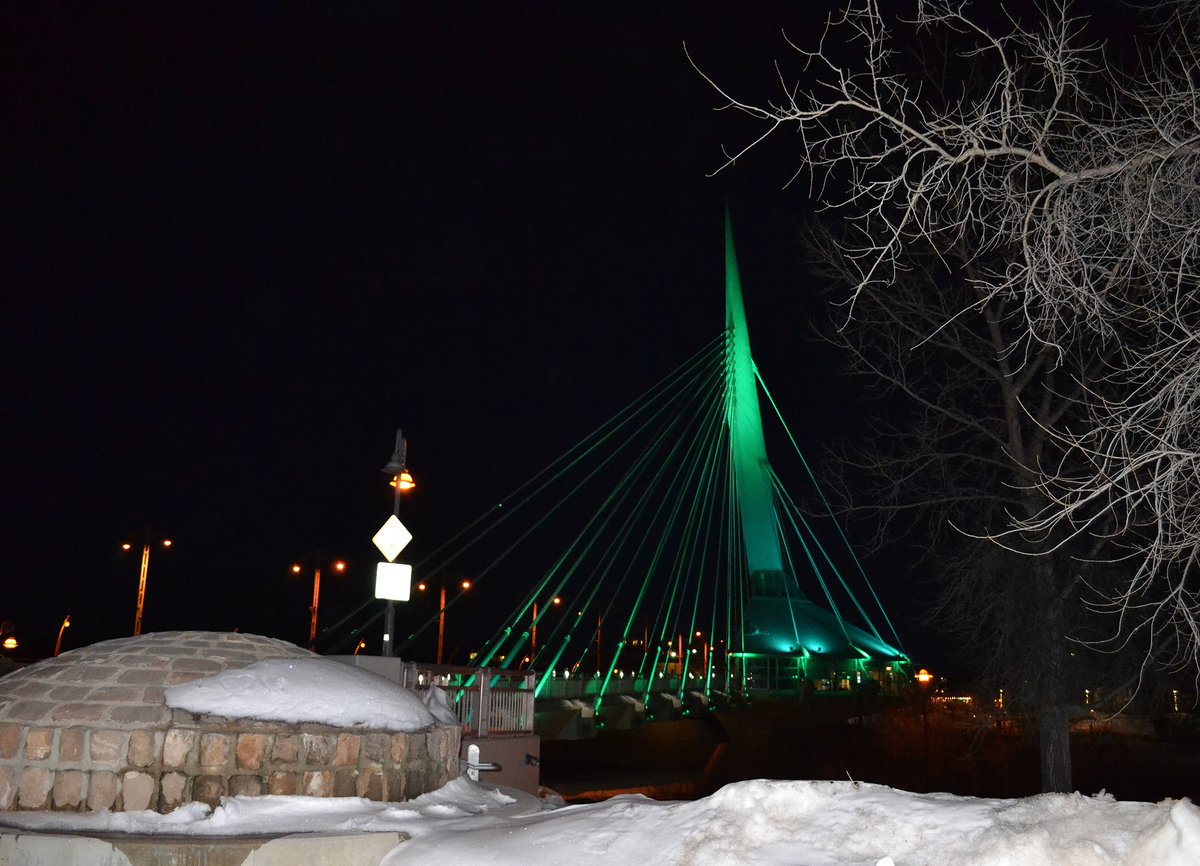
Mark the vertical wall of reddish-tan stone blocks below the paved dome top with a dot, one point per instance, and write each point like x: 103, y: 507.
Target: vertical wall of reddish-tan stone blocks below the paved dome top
x: 206, y: 759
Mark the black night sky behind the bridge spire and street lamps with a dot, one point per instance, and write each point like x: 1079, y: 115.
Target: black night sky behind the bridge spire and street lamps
x: 245, y: 245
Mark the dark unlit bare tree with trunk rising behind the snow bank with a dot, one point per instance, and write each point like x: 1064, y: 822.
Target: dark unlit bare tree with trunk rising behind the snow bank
x: 965, y: 454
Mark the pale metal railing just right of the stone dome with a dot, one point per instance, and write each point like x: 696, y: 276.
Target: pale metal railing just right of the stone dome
x: 488, y: 702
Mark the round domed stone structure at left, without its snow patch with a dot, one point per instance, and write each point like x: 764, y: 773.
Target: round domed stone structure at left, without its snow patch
x: 92, y: 730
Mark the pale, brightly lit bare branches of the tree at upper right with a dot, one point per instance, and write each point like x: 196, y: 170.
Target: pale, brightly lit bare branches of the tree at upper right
x: 1066, y: 193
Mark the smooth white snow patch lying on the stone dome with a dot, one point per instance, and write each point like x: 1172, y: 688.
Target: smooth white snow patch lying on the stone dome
x: 305, y: 690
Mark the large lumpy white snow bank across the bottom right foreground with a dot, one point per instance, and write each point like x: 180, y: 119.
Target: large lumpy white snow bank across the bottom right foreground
x: 829, y: 825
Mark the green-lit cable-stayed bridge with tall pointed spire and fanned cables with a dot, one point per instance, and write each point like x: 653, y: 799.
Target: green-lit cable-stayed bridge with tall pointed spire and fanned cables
x: 663, y: 556
